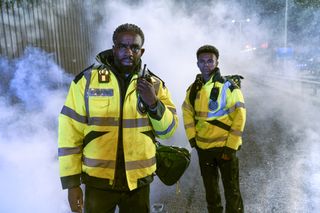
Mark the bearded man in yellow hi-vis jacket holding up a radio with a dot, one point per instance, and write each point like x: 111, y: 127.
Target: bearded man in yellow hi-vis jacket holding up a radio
x: 107, y: 129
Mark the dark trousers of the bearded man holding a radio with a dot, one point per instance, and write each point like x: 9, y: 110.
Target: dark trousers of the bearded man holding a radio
x: 106, y: 201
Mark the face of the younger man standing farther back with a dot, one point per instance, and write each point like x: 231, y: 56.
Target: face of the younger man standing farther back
x: 206, y: 63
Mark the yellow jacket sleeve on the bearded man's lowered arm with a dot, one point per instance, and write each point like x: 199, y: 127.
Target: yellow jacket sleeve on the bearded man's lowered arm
x: 72, y: 121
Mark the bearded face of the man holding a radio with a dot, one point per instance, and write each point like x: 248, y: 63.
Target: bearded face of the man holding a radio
x: 127, y: 50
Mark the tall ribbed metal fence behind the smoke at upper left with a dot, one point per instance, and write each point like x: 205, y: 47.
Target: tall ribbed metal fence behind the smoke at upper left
x: 58, y: 27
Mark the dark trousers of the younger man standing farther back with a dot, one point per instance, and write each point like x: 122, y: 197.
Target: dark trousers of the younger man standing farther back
x: 210, y: 165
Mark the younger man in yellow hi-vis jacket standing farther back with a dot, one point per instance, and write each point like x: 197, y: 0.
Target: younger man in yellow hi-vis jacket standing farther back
x: 214, y: 119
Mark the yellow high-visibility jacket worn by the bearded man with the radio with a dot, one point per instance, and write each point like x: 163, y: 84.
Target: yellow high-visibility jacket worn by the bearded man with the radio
x: 89, y: 129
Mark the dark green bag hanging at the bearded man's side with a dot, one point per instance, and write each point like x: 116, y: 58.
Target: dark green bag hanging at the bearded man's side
x: 172, y: 162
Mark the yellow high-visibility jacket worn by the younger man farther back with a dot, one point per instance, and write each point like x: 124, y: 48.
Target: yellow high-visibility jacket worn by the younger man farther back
x: 210, y: 125
